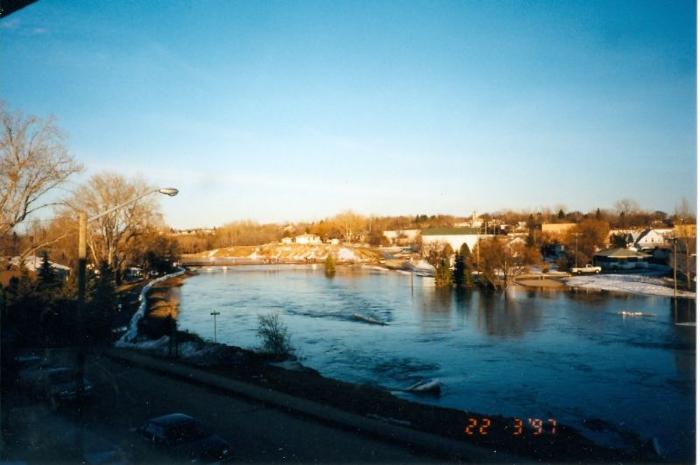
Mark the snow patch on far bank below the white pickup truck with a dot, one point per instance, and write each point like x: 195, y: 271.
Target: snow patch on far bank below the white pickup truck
x: 635, y: 284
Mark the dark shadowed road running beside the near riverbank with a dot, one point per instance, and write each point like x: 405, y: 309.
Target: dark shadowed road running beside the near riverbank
x: 125, y: 396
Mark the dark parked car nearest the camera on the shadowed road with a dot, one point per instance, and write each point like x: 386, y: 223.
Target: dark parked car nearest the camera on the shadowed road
x: 184, y: 438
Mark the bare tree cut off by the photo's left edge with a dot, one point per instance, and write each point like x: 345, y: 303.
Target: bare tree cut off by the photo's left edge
x: 33, y: 161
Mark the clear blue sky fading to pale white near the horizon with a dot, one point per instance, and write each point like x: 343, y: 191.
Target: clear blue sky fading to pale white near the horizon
x: 298, y: 110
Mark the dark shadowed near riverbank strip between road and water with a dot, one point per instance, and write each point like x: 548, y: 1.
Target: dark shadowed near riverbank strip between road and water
x: 290, y: 377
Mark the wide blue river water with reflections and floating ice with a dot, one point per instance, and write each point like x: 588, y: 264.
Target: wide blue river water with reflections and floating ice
x: 564, y: 354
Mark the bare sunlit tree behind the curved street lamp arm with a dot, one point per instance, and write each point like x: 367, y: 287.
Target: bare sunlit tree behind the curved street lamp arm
x: 110, y: 237
